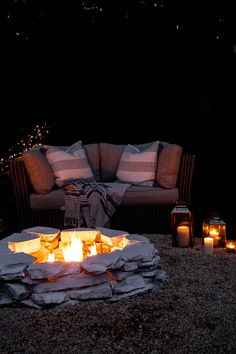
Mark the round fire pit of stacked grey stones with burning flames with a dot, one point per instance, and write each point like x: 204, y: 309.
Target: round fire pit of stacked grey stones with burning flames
x: 45, y: 267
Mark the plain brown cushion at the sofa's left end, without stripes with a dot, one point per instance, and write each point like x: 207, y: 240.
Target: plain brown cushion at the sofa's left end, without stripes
x: 40, y: 173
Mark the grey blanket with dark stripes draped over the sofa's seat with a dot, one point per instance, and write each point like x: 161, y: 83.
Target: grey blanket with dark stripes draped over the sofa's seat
x: 92, y: 204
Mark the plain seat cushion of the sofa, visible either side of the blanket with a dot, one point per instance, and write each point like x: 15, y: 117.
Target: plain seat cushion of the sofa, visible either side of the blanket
x: 135, y: 195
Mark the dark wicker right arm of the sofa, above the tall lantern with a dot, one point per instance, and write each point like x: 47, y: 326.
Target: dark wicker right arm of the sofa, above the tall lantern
x: 185, y: 177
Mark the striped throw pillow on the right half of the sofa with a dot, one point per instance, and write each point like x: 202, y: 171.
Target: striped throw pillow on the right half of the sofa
x: 138, y: 166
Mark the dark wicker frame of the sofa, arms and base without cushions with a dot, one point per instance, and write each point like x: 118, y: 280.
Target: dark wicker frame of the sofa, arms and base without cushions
x: 151, y: 218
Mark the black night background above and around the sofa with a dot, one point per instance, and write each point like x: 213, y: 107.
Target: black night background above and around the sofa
x: 126, y: 72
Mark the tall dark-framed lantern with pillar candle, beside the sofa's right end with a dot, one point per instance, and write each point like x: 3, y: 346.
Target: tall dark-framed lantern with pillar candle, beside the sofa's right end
x: 182, y: 225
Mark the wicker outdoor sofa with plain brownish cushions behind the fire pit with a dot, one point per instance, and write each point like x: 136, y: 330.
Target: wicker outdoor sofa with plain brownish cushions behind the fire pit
x: 145, y: 209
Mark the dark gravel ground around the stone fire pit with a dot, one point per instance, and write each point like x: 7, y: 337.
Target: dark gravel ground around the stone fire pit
x: 193, y: 311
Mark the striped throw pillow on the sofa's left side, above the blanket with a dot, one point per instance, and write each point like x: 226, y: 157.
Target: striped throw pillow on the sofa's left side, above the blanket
x: 70, y: 164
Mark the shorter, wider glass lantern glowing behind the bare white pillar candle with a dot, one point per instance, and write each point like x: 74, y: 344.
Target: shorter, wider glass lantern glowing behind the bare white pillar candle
x: 215, y: 228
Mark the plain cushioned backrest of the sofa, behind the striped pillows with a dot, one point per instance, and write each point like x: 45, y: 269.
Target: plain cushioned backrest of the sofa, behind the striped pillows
x: 104, y: 160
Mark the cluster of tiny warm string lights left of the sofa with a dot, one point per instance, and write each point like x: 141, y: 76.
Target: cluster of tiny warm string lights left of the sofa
x: 36, y: 137
